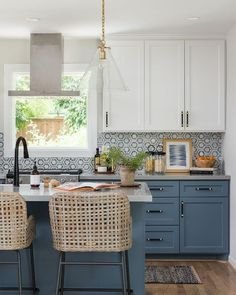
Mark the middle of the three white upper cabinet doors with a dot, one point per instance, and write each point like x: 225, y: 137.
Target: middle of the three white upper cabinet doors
x: 164, y: 85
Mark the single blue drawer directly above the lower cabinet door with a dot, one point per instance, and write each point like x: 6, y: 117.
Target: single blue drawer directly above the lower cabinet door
x: 217, y: 188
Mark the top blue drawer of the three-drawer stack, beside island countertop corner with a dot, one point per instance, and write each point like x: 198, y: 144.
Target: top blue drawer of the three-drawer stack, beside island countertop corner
x: 164, y: 188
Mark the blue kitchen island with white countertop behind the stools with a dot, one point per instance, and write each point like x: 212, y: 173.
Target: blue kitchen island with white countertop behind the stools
x: 46, y: 258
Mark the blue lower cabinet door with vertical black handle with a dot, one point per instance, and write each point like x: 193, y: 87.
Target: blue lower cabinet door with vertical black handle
x: 204, y: 225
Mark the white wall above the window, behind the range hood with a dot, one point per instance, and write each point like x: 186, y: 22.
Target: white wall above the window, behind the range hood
x: 16, y: 51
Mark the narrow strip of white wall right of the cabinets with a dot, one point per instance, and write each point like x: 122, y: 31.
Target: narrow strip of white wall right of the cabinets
x: 230, y: 137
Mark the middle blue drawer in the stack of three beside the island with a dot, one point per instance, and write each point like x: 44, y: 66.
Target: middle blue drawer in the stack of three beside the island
x: 164, y: 211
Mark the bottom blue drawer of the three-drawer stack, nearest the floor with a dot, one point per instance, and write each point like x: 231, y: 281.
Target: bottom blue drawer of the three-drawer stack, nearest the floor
x: 162, y: 239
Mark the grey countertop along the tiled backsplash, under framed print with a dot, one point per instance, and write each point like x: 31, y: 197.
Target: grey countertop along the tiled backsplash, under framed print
x: 148, y: 177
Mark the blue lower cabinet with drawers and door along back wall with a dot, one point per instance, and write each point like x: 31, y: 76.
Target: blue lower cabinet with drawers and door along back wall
x: 188, y: 217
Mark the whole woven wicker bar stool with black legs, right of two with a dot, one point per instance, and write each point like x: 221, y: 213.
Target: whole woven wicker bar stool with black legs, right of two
x: 91, y: 222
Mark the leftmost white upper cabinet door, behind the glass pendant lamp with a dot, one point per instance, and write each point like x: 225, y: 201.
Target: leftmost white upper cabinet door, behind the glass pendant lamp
x: 124, y: 110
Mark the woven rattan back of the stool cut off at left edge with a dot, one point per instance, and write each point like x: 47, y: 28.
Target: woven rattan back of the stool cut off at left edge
x: 13, y: 221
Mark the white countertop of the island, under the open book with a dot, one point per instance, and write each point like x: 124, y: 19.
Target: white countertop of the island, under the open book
x: 137, y: 194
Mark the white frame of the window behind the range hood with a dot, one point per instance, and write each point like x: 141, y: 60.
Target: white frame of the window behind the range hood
x: 9, y: 118
